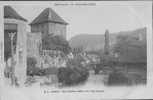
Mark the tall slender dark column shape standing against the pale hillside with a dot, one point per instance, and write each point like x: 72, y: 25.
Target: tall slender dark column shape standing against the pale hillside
x: 106, y: 48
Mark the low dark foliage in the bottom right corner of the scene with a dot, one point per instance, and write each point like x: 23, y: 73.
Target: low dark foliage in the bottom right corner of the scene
x: 127, y: 78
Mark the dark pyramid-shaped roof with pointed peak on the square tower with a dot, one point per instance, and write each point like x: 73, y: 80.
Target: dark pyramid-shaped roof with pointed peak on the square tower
x: 48, y: 15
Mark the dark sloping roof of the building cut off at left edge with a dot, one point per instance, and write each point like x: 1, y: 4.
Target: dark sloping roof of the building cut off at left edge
x: 9, y: 12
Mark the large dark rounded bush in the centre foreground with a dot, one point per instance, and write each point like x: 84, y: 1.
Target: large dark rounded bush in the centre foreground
x: 72, y: 75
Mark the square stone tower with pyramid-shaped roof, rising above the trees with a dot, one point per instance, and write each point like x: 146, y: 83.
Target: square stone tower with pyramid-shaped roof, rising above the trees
x: 49, y: 22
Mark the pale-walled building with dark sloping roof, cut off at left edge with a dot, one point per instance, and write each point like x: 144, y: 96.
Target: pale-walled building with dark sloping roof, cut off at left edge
x: 14, y: 23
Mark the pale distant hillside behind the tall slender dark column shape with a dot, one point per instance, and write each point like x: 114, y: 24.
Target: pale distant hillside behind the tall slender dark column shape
x: 96, y: 42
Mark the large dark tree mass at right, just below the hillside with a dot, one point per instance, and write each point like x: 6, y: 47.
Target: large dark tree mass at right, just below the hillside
x: 130, y: 49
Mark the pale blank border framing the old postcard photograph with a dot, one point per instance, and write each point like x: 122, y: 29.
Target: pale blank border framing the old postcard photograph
x: 109, y: 93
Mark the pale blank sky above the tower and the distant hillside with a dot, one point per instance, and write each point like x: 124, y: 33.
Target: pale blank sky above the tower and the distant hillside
x: 94, y: 17
